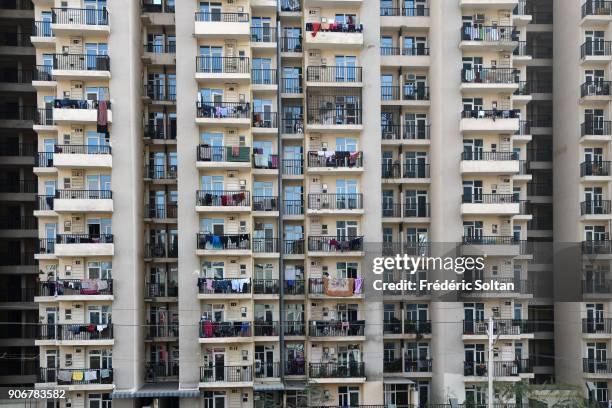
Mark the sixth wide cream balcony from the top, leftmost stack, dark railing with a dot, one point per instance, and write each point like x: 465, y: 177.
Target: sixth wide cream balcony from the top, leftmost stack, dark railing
x: 84, y: 245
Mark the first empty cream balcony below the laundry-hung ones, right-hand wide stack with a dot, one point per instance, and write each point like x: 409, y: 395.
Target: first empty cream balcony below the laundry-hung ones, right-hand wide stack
x: 479, y: 162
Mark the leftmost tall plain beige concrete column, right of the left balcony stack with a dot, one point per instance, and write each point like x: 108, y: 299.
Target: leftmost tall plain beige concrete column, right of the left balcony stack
x: 124, y: 47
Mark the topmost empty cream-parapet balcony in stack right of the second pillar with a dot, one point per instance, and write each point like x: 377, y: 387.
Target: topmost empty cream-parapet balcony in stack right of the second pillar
x: 216, y: 24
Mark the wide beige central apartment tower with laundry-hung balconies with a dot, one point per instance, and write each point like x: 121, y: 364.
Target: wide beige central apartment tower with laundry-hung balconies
x: 212, y: 174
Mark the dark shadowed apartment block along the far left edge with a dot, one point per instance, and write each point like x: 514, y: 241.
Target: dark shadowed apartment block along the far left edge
x: 18, y: 272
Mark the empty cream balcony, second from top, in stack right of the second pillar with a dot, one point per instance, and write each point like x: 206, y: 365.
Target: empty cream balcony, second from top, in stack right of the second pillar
x: 223, y: 69
